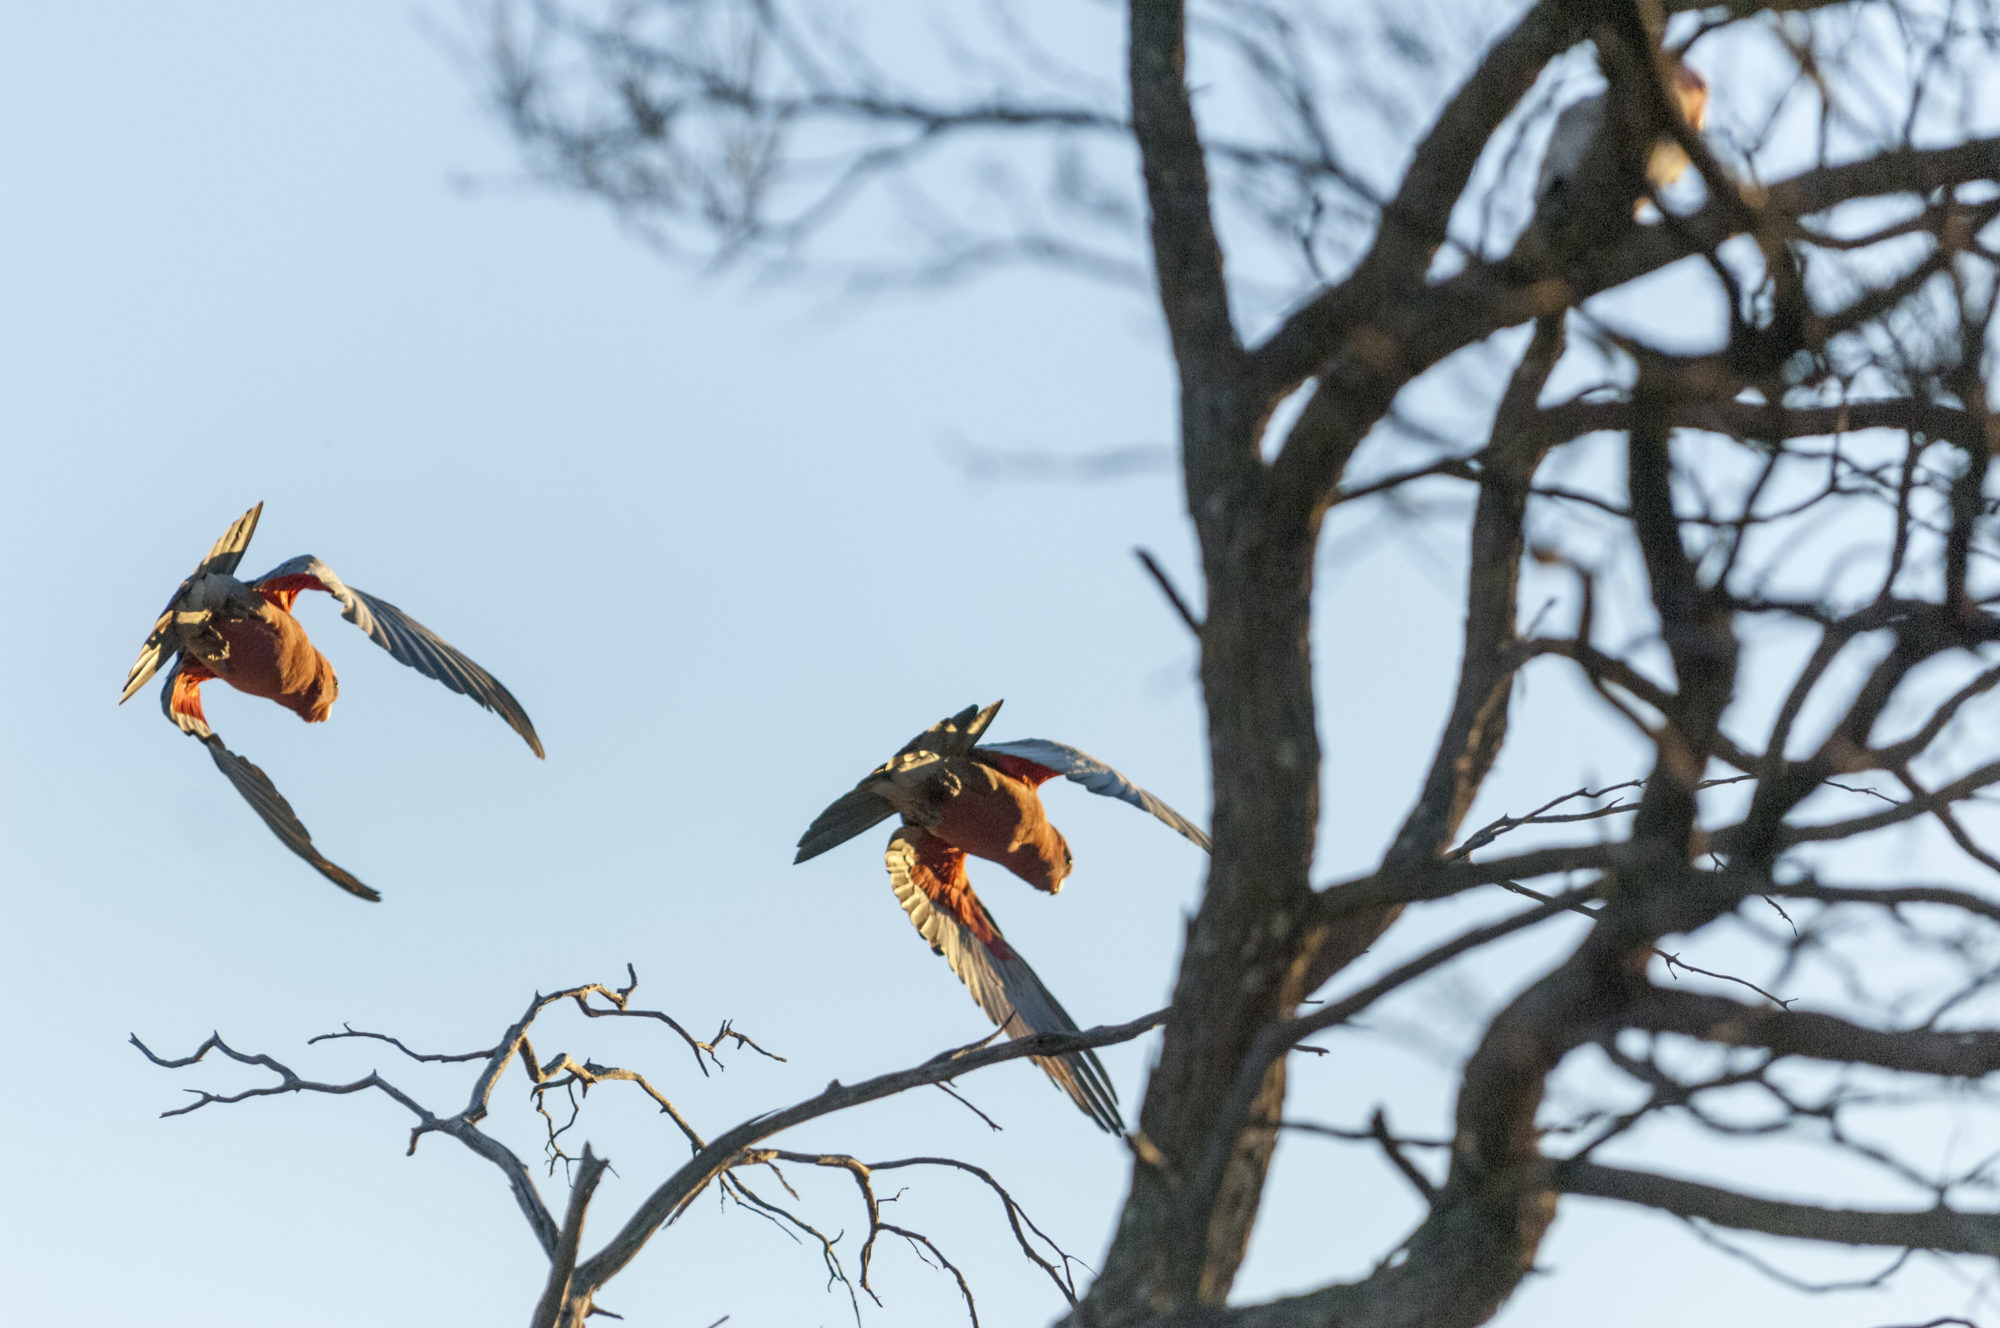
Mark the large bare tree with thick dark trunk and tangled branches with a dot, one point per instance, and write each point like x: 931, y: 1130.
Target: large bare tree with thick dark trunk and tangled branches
x: 1771, y: 557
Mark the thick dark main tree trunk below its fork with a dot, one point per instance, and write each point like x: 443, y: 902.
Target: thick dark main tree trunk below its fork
x: 1189, y: 1215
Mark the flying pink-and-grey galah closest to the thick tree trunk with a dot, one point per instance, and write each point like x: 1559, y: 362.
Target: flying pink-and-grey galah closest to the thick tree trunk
x: 959, y: 797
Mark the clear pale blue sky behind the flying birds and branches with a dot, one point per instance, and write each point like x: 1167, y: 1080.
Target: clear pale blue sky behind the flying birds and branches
x: 723, y: 545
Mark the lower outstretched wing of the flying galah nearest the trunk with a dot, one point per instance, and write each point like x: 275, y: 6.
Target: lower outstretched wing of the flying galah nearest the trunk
x: 931, y: 885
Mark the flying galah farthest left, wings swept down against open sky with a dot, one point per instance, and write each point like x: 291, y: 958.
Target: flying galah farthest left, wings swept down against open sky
x: 245, y: 635
